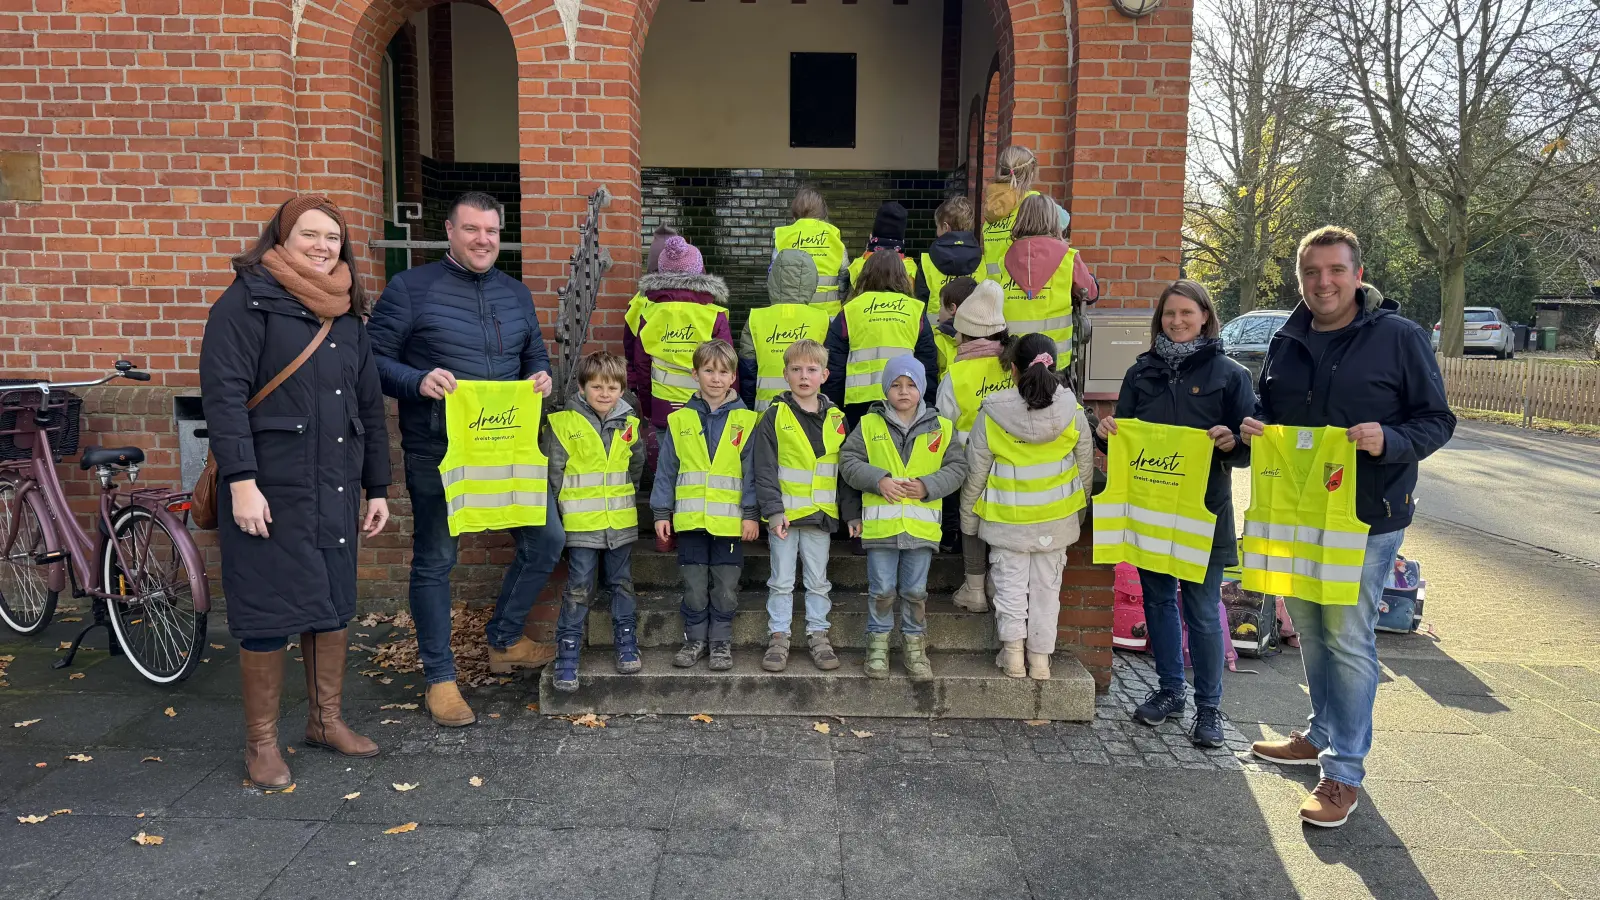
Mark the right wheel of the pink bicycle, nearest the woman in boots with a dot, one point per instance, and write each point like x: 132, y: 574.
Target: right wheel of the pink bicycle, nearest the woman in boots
x: 156, y: 624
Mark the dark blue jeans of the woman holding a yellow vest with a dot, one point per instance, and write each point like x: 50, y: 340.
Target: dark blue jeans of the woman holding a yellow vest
x: 1206, y: 632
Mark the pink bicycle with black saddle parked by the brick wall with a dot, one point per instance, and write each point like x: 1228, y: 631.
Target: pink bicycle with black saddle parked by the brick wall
x: 142, y: 568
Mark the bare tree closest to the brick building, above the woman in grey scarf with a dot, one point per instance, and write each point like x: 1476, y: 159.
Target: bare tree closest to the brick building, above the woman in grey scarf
x: 1249, y: 94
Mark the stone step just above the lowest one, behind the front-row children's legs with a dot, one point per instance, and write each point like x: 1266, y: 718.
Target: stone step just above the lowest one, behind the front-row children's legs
x: 660, y: 625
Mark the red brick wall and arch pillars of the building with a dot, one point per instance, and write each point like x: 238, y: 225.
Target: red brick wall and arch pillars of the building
x: 169, y: 129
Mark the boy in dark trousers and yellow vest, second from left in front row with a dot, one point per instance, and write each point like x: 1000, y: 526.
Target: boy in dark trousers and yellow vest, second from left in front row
x: 705, y: 500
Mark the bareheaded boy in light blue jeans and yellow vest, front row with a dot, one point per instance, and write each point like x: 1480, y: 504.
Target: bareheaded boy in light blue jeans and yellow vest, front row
x: 796, y: 472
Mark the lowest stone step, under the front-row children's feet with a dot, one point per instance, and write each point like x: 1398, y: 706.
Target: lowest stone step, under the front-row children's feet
x: 966, y: 686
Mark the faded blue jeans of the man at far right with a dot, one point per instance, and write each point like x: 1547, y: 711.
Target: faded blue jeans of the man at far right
x: 1340, y: 648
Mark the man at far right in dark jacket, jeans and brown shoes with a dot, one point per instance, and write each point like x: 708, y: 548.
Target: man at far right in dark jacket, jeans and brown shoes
x: 1348, y: 360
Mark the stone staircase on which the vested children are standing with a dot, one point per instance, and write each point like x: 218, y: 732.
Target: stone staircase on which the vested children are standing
x: 962, y: 648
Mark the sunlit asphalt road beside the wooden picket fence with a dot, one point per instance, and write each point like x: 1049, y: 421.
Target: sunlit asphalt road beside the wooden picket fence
x: 1526, y: 486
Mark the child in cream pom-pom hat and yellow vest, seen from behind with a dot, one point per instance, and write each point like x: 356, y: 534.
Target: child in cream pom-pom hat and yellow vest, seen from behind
x: 975, y: 374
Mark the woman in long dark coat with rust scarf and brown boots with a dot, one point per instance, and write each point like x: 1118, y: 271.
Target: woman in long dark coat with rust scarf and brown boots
x: 294, y: 468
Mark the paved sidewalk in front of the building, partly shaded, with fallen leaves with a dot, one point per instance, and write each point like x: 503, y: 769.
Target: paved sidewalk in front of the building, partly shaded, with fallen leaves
x: 1486, y: 782
